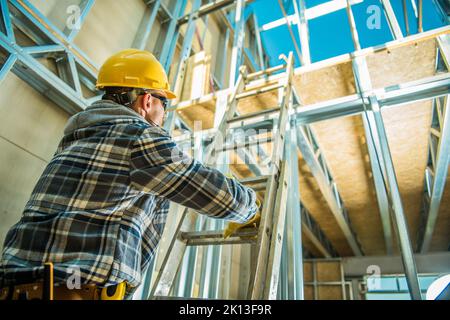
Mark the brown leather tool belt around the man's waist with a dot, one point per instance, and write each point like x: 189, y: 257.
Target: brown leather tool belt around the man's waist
x: 46, y: 290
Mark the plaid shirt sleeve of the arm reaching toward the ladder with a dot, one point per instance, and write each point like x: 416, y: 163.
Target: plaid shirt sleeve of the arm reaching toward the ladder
x: 159, y: 167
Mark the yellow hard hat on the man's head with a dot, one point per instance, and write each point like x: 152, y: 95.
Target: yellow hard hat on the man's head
x: 134, y: 68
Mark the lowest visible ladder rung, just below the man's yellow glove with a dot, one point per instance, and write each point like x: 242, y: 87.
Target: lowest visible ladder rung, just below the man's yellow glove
x: 215, y: 237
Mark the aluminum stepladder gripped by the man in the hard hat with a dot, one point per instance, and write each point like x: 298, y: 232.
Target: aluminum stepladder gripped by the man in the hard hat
x: 267, y: 239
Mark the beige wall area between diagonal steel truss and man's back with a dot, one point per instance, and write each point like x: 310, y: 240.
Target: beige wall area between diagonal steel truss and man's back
x: 30, y: 129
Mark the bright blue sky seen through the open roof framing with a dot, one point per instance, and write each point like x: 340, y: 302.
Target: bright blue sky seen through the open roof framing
x: 330, y: 35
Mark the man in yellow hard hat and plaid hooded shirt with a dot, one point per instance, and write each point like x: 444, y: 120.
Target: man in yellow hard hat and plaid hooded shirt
x: 98, y: 211
